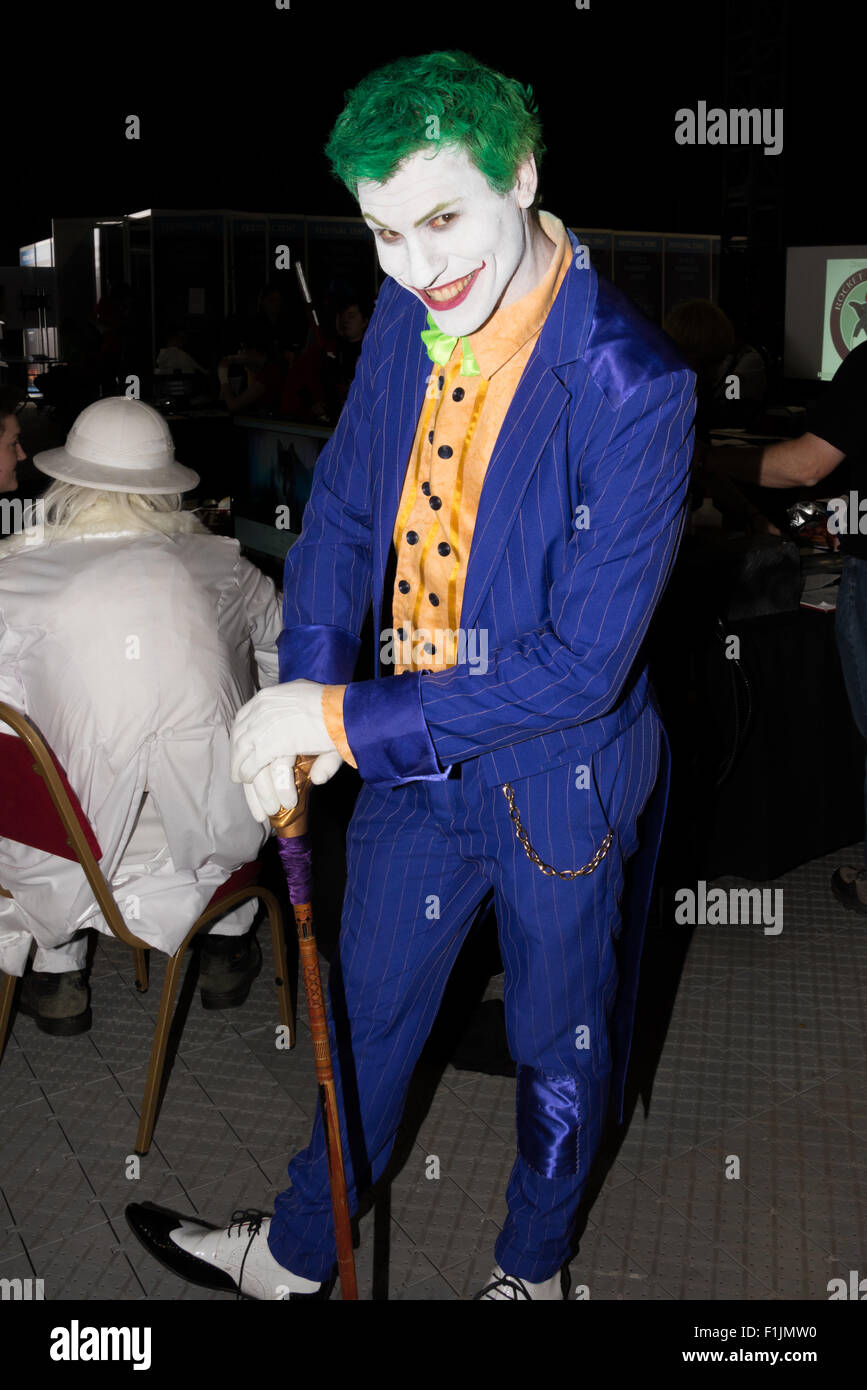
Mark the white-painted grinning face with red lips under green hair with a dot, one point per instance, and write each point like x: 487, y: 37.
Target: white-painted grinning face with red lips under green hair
x: 438, y: 224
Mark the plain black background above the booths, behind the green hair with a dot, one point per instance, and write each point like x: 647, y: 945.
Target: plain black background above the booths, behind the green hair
x: 237, y: 104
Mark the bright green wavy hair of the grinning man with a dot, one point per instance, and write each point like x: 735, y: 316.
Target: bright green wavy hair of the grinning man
x: 436, y: 99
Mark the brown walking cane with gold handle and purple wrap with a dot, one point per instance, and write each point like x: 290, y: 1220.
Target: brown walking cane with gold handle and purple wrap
x: 294, y: 844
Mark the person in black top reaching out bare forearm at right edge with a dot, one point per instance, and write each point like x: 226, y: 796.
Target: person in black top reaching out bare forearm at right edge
x: 837, y: 439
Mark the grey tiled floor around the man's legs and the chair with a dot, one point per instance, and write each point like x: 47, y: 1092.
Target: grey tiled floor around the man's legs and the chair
x: 762, y: 1067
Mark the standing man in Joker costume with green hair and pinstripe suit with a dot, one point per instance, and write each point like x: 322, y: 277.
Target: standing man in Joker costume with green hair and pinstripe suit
x: 506, y: 484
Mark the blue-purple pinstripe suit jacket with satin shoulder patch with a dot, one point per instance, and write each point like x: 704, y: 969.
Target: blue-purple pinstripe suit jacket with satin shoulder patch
x: 602, y: 419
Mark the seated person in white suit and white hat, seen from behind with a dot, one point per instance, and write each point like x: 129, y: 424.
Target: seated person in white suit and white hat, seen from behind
x: 131, y: 637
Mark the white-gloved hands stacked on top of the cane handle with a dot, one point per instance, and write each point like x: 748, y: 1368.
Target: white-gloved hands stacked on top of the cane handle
x: 270, y: 732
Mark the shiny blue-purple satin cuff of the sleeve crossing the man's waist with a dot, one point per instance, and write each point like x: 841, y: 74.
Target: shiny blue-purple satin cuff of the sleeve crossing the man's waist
x: 386, y: 726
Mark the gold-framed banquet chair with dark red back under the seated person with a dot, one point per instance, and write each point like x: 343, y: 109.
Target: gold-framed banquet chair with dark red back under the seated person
x: 40, y: 808
